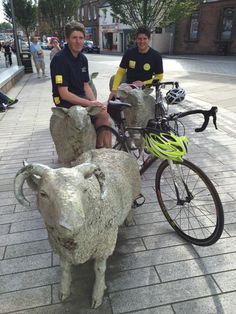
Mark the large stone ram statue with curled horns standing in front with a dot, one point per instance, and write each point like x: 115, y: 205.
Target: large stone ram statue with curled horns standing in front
x: 82, y: 208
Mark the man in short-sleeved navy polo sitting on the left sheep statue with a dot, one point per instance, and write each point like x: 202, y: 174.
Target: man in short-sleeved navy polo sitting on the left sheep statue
x: 70, y: 77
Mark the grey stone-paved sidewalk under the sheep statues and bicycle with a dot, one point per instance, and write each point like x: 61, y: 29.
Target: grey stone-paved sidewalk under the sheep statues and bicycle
x: 152, y: 271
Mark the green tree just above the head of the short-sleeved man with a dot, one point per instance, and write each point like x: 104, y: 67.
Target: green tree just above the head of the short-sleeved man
x: 57, y: 13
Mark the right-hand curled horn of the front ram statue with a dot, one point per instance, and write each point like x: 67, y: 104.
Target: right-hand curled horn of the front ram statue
x: 88, y: 169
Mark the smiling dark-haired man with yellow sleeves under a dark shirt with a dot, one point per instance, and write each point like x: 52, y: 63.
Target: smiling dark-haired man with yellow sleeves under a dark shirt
x: 142, y: 64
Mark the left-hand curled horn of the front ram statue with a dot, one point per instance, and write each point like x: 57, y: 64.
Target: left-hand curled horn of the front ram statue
x: 21, y: 176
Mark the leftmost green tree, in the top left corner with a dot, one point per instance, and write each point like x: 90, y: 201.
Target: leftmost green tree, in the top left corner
x: 25, y: 14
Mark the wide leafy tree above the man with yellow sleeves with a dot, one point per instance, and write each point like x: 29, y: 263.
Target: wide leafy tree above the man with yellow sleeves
x: 151, y: 13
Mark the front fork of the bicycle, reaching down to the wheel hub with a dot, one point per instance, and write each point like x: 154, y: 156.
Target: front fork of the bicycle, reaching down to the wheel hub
x: 179, y: 176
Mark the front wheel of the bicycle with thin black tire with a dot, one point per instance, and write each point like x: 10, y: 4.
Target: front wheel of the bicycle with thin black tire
x: 200, y: 220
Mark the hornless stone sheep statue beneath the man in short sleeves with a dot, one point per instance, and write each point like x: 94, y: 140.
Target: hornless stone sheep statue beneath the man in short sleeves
x: 72, y: 131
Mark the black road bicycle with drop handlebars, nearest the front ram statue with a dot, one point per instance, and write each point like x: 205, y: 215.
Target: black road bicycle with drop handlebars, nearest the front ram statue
x: 187, y: 197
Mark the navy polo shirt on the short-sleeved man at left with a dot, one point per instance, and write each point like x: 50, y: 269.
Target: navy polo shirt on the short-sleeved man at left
x: 66, y: 70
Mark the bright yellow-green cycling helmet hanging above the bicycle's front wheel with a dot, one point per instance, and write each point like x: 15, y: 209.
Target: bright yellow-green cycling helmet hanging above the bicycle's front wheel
x: 166, y: 145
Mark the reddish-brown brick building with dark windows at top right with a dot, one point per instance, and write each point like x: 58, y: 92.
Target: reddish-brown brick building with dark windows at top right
x: 210, y: 30
